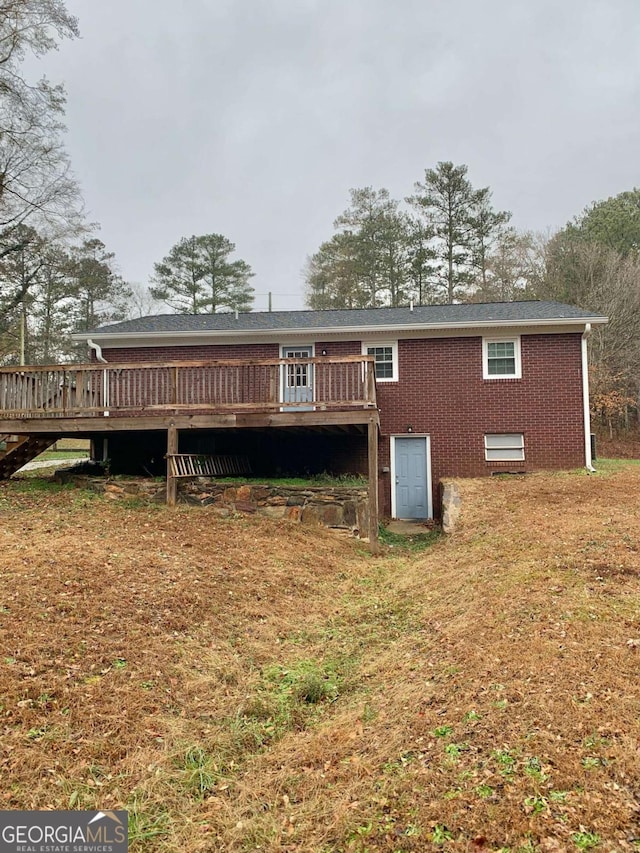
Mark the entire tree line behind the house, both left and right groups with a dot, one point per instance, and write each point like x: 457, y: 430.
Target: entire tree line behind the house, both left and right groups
x: 444, y: 242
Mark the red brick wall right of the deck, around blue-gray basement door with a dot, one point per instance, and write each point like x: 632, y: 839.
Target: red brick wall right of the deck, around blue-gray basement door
x: 441, y: 393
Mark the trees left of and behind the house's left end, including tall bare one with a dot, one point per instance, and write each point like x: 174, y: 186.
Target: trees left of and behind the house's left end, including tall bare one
x: 56, y: 276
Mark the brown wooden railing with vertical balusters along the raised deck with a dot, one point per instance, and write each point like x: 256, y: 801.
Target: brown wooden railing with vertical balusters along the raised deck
x: 112, y: 389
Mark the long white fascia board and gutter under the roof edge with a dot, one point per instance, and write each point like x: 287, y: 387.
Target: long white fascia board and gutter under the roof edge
x: 190, y: 337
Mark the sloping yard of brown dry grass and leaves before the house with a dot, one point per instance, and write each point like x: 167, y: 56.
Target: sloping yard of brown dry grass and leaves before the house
x: 242, y: 684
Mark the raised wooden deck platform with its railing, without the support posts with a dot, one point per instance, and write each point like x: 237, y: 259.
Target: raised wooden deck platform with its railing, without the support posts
x: 198, y: 394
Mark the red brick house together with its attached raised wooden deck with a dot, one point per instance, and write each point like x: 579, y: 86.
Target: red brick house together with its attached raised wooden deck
x: 427, y: 392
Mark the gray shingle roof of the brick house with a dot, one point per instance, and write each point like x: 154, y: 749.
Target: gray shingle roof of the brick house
x: 424, y: 315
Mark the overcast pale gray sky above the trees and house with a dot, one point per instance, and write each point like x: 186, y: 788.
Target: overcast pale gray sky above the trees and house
x: 253, y: 118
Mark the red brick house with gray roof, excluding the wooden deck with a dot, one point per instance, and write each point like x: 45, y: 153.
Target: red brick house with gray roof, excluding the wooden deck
x: 462, y: 390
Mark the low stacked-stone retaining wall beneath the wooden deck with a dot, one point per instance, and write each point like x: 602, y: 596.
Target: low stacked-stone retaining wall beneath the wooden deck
x: 341, y: 507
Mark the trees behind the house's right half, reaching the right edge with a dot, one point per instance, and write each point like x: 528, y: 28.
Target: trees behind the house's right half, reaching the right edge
x: 447, y: 243
